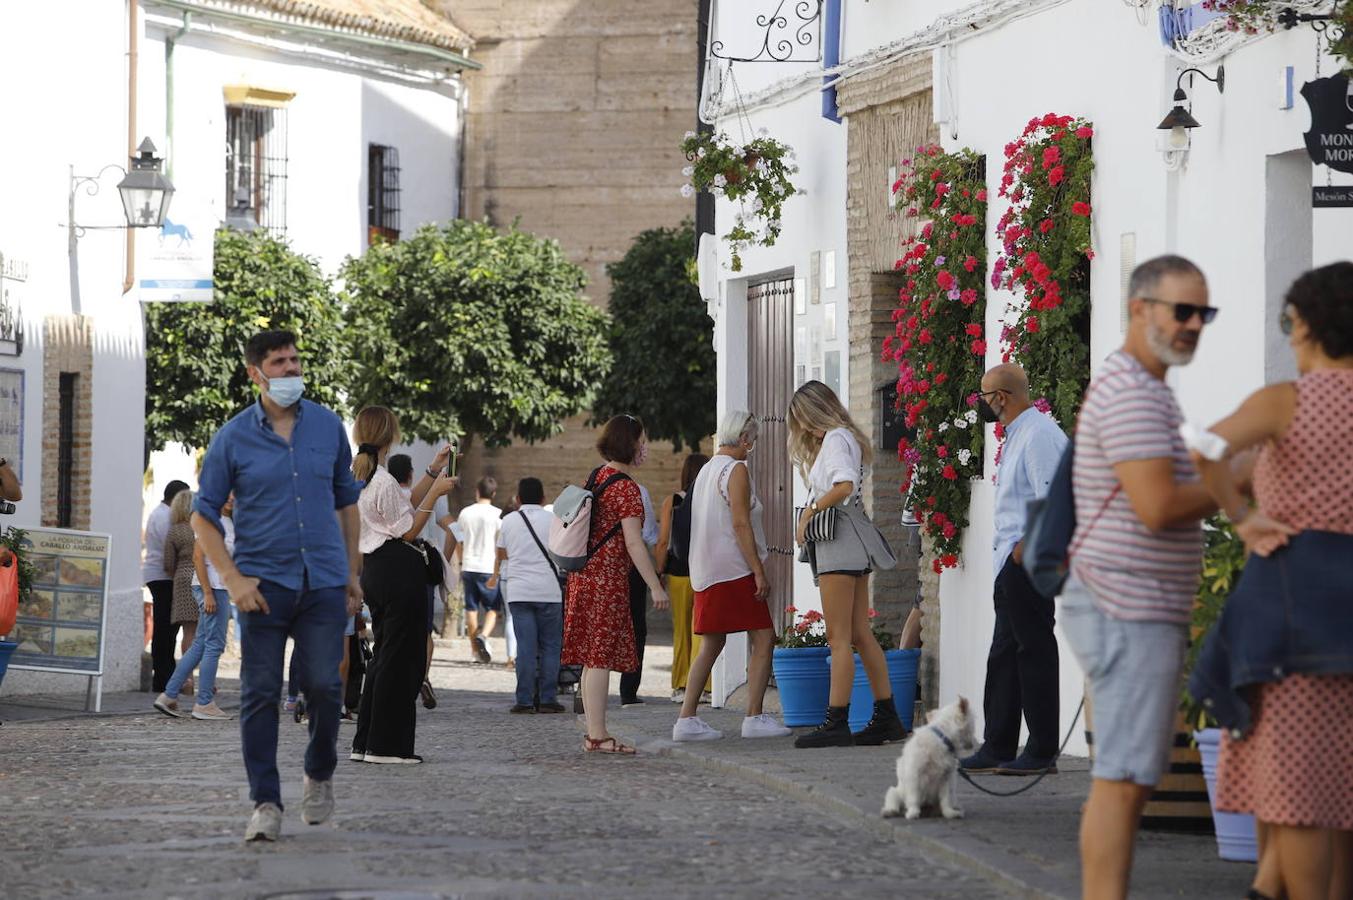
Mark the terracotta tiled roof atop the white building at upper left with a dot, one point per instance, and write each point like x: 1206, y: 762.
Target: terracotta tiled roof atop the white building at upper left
x: 411, y: 21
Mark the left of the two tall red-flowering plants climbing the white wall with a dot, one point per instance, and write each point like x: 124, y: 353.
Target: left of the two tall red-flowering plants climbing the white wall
x: 940, y: 339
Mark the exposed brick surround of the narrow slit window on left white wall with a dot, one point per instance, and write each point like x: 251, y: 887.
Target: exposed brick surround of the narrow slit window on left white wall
x: 67, y: 347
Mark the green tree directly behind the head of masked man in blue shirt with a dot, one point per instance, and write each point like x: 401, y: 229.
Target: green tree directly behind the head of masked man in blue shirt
x: 196, y: 376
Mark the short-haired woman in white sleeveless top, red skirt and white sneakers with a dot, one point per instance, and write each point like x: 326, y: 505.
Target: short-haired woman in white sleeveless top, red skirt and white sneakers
x: 727, y: 572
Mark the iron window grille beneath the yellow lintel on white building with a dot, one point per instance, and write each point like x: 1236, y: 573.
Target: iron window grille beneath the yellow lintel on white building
x: 256, y: 164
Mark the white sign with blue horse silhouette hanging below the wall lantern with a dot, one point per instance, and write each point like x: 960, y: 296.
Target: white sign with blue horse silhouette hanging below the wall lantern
x: 175, y: 263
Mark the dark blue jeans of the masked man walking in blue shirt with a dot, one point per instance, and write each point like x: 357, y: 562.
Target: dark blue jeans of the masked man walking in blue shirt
x: 315, y: 619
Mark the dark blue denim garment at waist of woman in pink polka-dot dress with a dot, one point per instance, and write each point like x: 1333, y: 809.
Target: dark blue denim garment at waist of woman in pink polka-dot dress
x: 1291, y: 612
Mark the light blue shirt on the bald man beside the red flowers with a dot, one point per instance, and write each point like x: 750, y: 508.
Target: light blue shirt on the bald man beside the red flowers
x: 1034, y: 446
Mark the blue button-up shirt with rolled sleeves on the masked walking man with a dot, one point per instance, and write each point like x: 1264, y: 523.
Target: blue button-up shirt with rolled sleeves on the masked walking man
x: 286, y: 496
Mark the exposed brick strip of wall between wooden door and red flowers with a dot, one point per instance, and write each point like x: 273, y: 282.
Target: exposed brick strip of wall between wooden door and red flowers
x: 888, y: 117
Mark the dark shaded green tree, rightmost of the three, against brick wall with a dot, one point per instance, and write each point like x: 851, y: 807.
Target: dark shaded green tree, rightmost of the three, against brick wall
x: 662, y: 340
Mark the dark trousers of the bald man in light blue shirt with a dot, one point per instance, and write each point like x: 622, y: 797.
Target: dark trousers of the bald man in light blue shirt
x: 1021, y: 669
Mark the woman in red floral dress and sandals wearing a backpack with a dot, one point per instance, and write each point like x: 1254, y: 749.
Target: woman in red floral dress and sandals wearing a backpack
x: 599, y: 630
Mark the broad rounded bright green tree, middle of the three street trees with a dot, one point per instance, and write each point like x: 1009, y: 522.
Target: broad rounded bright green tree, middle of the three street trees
x: 463, y: 330
